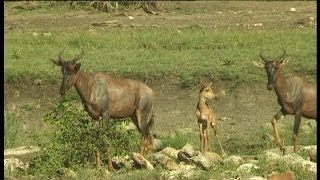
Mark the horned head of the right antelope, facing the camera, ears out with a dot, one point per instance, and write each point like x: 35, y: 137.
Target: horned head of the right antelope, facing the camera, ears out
x: 272, y: 67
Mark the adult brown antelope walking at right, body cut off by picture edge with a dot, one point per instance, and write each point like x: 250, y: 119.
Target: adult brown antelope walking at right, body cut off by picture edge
x: 296, y: 96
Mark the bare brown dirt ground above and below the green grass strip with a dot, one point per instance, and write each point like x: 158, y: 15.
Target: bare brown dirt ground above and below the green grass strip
x: 243, y: 111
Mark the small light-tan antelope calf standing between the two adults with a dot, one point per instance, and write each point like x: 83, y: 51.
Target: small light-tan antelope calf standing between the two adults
x: 206, y: 118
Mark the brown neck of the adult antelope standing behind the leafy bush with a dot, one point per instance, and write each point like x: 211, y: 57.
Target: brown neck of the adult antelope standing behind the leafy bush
x: 83, y: 85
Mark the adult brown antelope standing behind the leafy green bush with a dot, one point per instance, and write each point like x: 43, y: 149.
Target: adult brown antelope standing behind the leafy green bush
x: 107, y: 97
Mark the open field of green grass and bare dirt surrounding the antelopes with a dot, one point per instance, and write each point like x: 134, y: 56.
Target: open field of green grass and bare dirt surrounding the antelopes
x: 185, y: 44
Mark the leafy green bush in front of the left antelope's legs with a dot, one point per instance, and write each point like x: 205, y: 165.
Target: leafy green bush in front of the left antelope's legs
x: 75, y: 138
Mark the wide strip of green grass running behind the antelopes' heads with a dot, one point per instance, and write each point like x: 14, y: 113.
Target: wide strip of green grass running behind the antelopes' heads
x: 187, y: 55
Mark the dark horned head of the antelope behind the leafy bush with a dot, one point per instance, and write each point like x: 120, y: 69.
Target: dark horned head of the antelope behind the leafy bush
x: 69, y: 70
